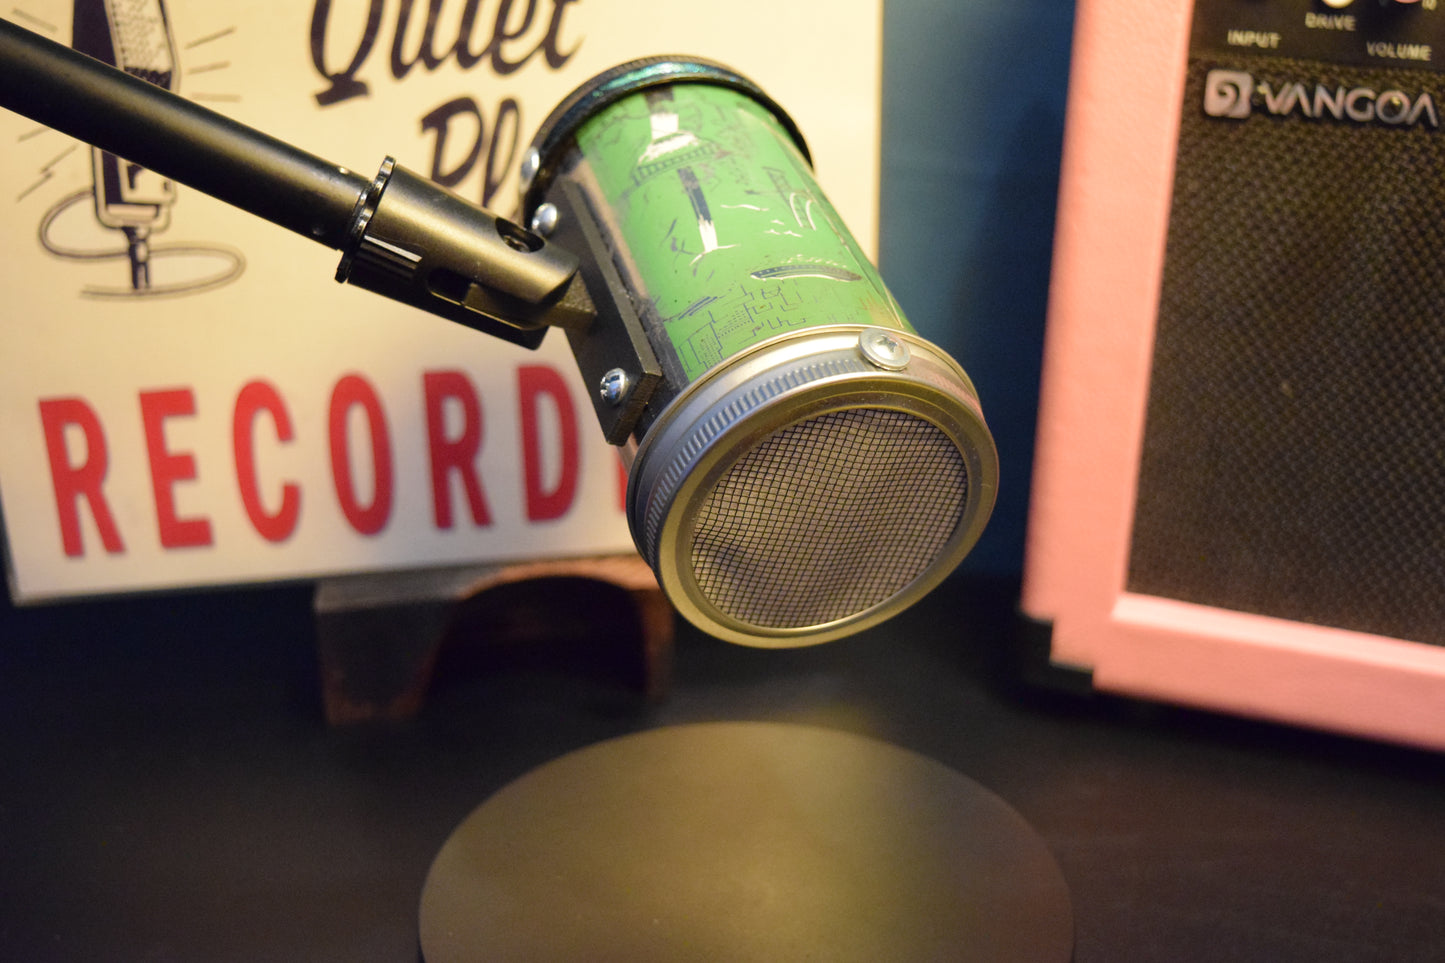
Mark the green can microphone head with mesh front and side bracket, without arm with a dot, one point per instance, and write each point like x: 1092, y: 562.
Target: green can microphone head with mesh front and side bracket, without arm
x: 803, y: 463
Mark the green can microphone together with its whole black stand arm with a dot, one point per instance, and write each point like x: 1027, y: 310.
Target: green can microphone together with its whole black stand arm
x: 804, y: 466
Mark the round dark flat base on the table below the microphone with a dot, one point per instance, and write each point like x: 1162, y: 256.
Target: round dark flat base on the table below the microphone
x: 745, y: 842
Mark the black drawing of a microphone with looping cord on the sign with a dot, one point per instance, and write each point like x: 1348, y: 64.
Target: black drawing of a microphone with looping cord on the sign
x: 126, y: 197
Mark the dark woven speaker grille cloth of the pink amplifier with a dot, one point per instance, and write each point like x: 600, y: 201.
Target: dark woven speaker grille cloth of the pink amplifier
x: 1294, y: 459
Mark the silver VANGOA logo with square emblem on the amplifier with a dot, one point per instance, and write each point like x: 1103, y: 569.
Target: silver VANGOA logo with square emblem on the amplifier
x: 1236, y: 95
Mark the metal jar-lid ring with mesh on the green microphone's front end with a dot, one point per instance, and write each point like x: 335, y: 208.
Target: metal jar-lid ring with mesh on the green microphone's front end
x: 798, y: 492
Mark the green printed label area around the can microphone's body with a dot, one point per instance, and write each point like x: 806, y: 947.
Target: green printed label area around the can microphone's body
x: 752, y: 248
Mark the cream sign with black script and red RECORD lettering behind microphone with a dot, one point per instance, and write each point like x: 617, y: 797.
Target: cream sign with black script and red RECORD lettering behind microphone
x: 76, y: 339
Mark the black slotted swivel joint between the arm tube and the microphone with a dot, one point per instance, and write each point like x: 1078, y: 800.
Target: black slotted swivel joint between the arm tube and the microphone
x: 417, y: 244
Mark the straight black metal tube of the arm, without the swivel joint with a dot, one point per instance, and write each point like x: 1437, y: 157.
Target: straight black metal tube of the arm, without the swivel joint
x: 176, y: 138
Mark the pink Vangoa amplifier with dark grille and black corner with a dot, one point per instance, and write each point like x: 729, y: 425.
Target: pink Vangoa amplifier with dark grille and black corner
x: 1241, y: 482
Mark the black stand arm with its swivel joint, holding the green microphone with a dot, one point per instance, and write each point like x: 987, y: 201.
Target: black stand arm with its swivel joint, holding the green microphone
x: 400, y: 235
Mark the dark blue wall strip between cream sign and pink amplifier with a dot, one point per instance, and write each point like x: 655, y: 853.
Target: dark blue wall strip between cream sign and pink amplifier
x: 973, y: 124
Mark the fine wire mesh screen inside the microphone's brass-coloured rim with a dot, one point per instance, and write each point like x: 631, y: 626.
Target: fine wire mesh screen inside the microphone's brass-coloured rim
x: 829, y: 518
